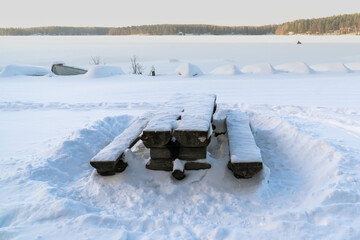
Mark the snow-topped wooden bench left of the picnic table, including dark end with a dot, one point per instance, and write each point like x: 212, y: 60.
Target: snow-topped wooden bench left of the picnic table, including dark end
x: 111, y: 159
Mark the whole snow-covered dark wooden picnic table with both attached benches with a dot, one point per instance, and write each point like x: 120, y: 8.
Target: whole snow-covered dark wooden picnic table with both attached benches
x: 178, y: 134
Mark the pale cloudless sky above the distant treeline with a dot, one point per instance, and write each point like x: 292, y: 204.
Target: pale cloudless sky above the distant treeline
x: 109, y: 13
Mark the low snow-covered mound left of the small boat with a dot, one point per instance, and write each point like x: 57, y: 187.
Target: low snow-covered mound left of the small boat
x: 25, y: 70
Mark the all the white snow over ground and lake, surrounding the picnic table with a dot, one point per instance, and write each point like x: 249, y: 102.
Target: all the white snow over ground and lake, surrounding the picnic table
x: 303, y: 102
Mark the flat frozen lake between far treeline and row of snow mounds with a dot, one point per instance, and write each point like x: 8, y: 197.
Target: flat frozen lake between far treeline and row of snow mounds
x: 240, y: 50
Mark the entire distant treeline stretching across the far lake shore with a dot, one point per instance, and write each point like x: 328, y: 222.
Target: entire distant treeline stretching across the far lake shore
x: 341, y: 24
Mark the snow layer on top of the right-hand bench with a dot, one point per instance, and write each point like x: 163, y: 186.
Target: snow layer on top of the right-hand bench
x: 243, y: 148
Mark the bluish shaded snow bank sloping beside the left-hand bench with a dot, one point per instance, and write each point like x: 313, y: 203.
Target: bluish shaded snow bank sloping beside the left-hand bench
x: 70, y: 159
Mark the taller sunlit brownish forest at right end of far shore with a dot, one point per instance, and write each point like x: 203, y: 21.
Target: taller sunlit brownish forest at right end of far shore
x: 341, y: 24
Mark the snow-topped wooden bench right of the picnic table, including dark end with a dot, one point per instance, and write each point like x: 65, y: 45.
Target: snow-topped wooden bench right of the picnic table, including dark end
x: 245, y: 157
